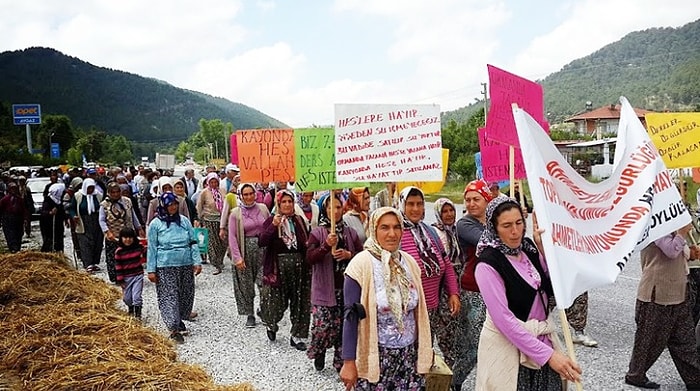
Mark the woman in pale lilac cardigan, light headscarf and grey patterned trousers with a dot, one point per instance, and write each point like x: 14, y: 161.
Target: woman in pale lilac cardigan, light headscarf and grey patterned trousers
x: 244, y: 226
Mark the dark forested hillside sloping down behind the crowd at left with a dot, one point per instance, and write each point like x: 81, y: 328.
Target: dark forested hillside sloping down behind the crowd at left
x: 141, y: 109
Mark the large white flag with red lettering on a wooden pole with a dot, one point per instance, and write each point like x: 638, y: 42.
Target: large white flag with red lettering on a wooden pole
x: 591, y: 229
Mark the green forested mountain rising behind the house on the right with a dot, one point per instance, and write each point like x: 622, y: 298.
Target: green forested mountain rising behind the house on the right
x: 656, y: 69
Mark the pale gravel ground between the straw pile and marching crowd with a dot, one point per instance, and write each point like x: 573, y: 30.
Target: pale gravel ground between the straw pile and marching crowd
x: 231, y: 353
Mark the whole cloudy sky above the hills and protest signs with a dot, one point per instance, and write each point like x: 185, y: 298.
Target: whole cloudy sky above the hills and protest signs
x: 294, y: 60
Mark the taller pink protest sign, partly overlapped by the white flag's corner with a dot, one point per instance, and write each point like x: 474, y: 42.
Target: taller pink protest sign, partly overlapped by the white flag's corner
x: 505, y: 89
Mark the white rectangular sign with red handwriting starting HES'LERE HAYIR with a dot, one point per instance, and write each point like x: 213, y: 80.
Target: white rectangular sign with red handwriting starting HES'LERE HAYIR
x: 387, y: 143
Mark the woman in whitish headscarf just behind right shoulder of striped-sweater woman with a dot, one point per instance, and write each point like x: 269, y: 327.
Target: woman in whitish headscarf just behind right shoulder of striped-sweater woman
x: 446, y: 229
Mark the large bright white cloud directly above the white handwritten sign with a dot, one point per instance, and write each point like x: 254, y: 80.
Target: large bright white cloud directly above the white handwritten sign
x: 447, y: 45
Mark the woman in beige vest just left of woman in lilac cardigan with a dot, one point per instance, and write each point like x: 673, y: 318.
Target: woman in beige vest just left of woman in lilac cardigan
x: 209, y: 206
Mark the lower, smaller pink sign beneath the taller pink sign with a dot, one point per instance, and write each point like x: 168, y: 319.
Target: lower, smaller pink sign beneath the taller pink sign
x: 494, y: 159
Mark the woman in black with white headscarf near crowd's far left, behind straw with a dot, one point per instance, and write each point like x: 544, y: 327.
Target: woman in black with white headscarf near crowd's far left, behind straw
x: 52, y: 218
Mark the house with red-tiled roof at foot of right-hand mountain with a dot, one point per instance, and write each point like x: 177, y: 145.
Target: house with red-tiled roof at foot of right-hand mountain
x: 600, y: 121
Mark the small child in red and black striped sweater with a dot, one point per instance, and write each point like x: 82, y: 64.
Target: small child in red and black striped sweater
x: 129, y: 258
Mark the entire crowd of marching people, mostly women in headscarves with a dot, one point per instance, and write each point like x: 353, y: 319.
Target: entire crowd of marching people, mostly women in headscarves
x: 364, y: 276
